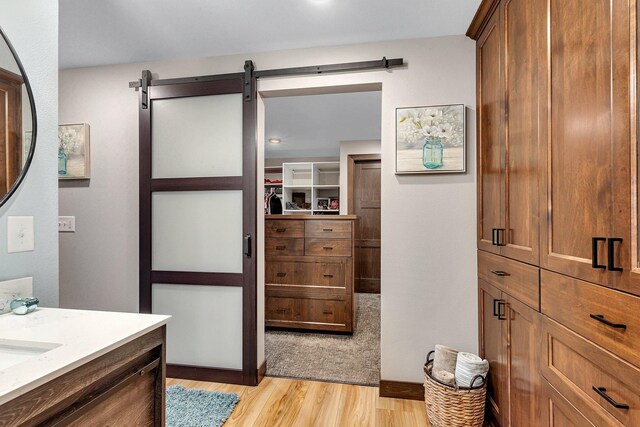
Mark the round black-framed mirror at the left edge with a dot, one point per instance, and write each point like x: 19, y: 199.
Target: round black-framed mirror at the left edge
x: 17, y: 121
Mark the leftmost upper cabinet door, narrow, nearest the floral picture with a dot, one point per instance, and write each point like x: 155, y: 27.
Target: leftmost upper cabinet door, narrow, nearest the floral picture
x: 490, y: 135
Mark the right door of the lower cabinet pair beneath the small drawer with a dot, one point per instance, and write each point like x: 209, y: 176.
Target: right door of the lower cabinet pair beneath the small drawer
x: 522, y: 363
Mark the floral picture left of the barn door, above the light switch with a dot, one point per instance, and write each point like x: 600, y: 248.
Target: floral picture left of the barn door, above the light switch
x: 74, y: 161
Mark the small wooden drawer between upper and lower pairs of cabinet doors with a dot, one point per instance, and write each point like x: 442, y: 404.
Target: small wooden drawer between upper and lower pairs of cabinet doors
x: 522, y: 281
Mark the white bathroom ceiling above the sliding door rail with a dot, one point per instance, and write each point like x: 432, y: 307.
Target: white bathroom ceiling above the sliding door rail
x: 102, y: 32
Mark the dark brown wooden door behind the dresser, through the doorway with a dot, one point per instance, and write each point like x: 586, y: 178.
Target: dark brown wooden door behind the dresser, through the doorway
x: 366, y: 205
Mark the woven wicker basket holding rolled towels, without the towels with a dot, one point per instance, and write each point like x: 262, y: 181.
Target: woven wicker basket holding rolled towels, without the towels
x: 449, y: 406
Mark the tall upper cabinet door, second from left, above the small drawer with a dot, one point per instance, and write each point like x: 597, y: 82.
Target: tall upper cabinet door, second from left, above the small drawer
x: 520, y: 21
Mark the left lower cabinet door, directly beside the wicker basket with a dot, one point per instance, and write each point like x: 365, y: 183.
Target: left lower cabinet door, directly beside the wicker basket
x: 493, y: 348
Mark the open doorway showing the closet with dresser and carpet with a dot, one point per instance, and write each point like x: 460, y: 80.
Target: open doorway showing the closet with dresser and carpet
x: 322, y: 253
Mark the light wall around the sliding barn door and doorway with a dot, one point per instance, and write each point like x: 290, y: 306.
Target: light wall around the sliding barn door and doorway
x: 428, y: 222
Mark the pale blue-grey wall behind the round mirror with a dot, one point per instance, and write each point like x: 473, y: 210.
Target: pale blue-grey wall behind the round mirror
x: 32, y: 27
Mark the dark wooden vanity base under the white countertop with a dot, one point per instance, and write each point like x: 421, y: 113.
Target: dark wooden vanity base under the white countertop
x: 123, y: 387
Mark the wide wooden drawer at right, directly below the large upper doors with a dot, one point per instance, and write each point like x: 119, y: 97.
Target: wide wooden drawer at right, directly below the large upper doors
x: 605, y: 316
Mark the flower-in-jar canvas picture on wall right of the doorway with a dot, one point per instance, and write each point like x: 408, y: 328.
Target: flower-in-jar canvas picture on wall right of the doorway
x: 430, y: 139
